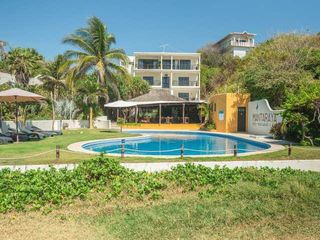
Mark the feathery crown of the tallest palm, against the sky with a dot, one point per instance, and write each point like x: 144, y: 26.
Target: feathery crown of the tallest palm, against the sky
x: 95, y: 54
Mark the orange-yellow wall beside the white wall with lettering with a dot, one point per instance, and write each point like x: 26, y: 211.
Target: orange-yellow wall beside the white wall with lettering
x: 229, y: 103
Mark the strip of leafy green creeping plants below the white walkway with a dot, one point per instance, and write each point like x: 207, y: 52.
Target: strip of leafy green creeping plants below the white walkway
x: 36, y: 189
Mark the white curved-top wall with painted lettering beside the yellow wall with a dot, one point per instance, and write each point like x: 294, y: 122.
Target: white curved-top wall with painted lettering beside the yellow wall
x: 261, y: 117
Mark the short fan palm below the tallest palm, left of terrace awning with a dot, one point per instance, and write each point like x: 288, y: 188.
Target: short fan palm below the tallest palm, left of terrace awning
x: 88, y: 89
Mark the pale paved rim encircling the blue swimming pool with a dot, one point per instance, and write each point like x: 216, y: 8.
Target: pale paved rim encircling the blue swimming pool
x: 275, y: 145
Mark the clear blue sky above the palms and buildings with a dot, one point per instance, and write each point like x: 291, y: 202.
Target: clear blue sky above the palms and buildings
x: 144, y: 25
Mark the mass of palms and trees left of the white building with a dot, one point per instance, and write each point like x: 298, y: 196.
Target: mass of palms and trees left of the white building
x: 76, y: 83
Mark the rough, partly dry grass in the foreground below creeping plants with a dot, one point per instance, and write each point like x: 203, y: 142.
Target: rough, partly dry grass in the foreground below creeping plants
x: 244, y: 210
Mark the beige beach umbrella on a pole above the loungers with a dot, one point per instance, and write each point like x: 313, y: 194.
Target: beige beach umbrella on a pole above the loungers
x: 16, y: 95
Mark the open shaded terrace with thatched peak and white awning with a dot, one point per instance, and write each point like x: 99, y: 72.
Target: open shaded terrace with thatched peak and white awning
x: 157, y: 106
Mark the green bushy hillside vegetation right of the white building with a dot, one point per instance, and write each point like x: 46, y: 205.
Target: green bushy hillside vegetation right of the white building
x: 284, y: 70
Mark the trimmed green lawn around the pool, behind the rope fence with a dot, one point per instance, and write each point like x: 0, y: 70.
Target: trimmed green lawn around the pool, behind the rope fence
x: 26, y: 149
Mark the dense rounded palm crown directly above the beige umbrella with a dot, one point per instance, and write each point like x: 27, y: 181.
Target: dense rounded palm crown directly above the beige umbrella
x: 23, y: 63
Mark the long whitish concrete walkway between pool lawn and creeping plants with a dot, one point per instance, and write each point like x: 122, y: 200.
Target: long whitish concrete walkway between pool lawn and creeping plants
x: 305, y: 165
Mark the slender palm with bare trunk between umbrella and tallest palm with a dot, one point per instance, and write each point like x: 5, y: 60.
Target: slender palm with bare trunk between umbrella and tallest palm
x: 53, y: 80
